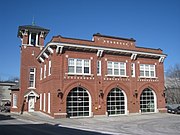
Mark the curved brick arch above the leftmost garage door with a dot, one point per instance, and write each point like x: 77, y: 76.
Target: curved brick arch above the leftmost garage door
x: 78, y: 84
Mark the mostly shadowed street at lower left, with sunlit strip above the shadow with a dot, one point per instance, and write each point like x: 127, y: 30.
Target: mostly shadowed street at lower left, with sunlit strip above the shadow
x: 11, y: 126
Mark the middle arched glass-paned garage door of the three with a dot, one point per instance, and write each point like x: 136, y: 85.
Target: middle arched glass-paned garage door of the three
x: 116, y: 102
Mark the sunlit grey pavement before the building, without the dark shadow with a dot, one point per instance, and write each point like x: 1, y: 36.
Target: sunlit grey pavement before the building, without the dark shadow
x: 149, y: 124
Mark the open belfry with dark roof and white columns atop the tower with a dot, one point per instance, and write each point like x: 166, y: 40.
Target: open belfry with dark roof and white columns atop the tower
x: 32, y: 35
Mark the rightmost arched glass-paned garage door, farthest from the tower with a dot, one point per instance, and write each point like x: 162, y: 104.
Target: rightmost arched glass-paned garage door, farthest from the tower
x: 147, y: 101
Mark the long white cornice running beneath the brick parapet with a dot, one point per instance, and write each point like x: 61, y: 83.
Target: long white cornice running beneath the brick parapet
x: 99, y: 48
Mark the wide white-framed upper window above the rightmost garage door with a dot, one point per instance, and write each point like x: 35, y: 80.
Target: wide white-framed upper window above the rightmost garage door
x: 147, y: 70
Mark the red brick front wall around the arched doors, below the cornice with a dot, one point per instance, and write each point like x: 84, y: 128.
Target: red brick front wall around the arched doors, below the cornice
x: 60, y: 80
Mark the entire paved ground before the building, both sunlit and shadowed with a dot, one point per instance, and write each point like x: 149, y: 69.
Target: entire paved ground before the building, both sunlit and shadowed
x: 39, y: 124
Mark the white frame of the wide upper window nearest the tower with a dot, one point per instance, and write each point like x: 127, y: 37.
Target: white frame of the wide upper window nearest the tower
x: 82, y: 65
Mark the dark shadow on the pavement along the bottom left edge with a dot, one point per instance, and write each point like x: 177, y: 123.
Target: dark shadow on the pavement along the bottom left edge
x: 41, y: 129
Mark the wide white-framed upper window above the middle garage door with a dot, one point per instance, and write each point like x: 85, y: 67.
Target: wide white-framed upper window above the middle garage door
x: 116, y: 68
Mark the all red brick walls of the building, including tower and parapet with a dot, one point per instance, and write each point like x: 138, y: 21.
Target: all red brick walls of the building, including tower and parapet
x: 93, y: 83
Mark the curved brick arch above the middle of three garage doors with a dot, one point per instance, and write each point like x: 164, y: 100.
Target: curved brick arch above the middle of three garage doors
x: 116, y: 85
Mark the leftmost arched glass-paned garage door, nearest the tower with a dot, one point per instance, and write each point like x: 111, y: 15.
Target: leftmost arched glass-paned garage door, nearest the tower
x: 78, y: 103
